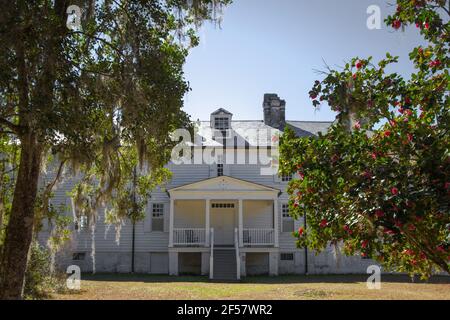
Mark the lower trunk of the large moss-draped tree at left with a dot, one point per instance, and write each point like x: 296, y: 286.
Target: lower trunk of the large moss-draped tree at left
x: 20, y: 227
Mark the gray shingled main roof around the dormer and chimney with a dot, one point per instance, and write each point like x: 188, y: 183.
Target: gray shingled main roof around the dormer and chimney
x: 246, y: 132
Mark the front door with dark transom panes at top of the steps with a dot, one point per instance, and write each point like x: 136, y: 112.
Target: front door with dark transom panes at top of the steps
x: 223, y: 217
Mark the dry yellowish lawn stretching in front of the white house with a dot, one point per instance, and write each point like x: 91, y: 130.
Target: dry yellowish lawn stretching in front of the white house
x: 148, y: 287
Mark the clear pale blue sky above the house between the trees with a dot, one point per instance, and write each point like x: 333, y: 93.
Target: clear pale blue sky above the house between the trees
x: 277, y: 46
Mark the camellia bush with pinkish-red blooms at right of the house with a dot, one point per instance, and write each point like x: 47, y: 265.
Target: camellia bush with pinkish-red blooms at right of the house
x: 377, y: 183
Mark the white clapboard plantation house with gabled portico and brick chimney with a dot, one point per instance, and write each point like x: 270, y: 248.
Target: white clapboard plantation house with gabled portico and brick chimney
x: 225, y: 218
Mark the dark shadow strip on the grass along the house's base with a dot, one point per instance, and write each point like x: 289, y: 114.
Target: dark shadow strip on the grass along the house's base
x: 285, y: 279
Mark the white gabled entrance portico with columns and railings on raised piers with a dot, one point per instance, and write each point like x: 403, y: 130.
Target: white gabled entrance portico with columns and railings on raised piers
x: 223, y: 213
